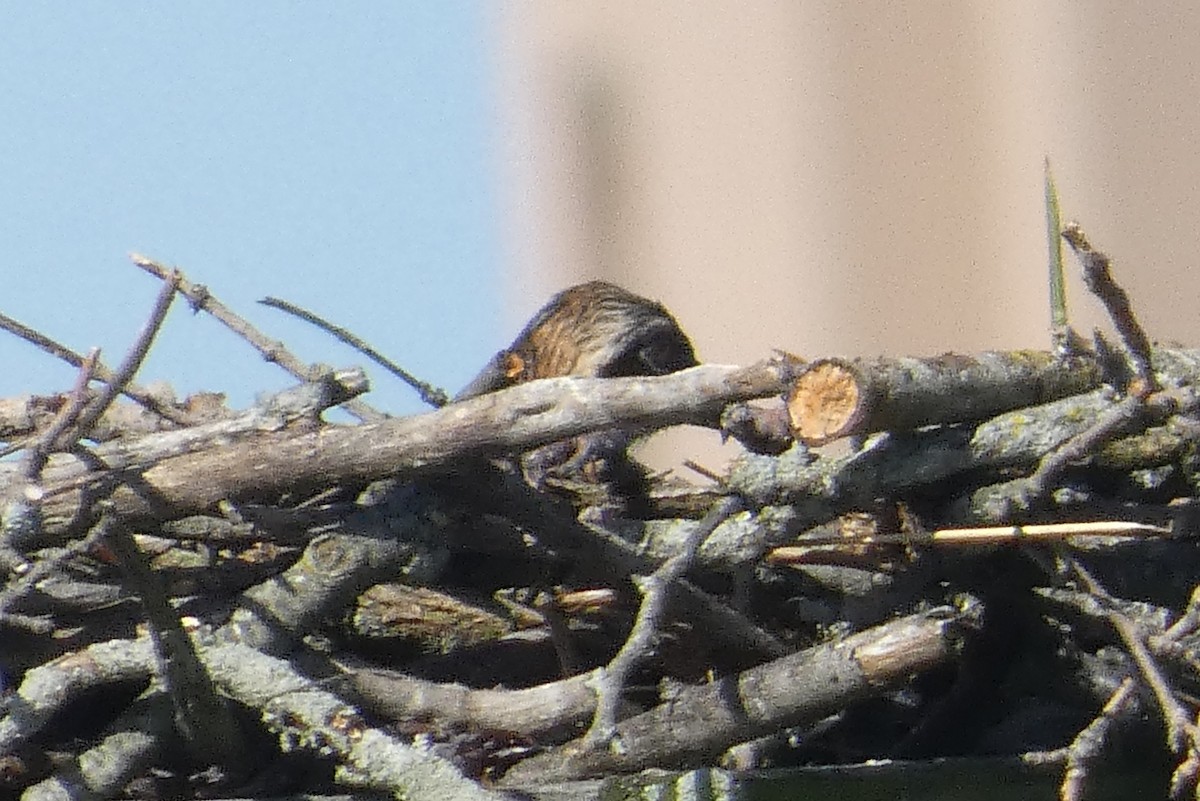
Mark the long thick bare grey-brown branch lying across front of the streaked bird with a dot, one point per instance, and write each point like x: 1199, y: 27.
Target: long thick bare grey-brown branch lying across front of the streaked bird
x: 520, y: 418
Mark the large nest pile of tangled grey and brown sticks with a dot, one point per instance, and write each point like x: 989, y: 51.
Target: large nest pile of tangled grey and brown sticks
x: 909, y: 561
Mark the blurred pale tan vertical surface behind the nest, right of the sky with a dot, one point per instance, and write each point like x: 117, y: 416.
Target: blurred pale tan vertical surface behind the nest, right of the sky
x: 849, y: 178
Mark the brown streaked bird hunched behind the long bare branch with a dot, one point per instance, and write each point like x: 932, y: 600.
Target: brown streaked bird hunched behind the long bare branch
x: 592, y: 330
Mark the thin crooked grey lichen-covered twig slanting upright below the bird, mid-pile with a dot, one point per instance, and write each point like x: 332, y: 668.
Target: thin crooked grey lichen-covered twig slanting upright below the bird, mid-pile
x: 611, y: 679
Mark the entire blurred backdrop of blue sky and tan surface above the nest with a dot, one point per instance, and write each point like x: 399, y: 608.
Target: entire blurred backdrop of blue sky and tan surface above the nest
x: 826, y: 178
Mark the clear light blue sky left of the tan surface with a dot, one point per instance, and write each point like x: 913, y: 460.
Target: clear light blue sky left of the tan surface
x: 339, y: 156
